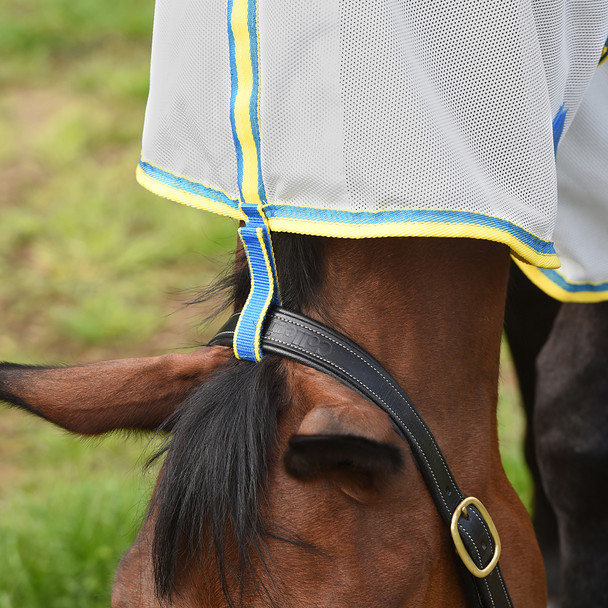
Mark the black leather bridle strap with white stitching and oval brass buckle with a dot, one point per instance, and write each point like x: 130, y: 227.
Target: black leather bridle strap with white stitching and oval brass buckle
x: 308, y: 342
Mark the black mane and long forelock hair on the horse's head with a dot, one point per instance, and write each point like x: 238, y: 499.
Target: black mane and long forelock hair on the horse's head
x: 221, y: 438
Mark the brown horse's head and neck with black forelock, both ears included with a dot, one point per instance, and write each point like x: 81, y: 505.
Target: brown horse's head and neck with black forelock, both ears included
x: 282, y: 487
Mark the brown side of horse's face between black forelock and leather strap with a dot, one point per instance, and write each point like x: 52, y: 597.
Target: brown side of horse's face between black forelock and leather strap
x: 347, y: 494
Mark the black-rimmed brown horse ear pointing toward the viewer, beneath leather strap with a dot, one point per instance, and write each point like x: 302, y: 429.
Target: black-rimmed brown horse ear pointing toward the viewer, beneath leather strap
x: 344, y: 438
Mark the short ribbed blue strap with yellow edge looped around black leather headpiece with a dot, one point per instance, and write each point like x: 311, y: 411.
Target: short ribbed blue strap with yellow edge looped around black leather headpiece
x: 255, y: 237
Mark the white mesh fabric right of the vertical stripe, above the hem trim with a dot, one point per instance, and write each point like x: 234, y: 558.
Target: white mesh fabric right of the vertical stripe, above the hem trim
x: 444, y: 105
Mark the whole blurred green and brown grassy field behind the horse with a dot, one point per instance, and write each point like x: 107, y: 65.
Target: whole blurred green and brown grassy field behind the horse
x: 93, y: 267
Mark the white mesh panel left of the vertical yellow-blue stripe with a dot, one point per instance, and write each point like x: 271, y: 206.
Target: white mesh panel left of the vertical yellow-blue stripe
x: 187, y: 129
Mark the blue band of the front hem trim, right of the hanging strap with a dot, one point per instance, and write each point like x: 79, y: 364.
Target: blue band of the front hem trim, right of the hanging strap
x: 403, y: 216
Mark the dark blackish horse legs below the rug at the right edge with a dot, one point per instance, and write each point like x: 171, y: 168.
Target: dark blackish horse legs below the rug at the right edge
x: 559, y: 354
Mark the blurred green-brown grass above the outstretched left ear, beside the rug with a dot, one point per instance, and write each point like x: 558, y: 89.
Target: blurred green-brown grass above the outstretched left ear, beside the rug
x: 90, y: 262
